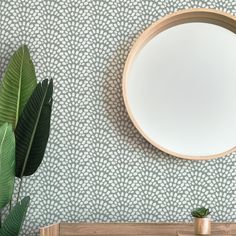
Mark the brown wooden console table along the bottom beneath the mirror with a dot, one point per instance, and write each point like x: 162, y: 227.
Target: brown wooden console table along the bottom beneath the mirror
x: 131, y: 229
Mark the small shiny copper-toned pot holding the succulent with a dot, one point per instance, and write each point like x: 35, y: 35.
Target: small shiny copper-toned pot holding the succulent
x: 202, y: 226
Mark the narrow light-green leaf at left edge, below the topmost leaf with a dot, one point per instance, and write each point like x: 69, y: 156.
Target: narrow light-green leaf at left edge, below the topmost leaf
x: 7, y: 163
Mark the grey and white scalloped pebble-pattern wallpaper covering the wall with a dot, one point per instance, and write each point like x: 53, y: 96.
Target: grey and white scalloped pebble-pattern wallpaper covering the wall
x: 97, y: 167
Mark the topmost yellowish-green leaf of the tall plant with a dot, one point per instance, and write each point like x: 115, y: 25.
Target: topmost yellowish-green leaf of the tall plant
x: 18, y: 84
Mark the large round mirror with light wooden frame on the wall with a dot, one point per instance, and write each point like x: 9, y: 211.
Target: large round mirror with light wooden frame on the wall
x: 179, y: 84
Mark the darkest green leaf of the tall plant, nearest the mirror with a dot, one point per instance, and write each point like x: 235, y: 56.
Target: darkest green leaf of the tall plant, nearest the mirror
x: 32, y: 130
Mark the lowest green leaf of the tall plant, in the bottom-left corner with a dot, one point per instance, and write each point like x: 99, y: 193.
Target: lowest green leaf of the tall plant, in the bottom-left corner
x: 13, y: 223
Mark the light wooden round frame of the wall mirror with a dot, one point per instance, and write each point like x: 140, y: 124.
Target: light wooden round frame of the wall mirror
x: 180, y: 17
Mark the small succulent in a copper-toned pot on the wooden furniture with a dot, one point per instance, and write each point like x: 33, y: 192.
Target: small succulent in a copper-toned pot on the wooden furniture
x: 202, y: 221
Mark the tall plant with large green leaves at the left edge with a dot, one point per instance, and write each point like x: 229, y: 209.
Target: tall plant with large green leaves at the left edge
x: 25, y: 113
